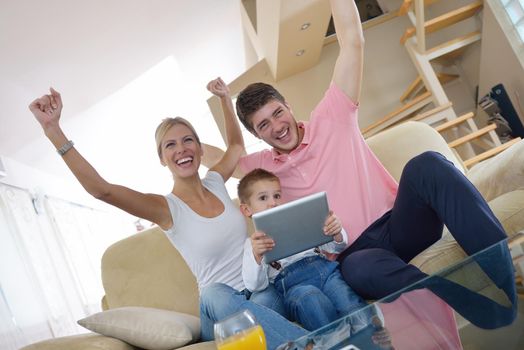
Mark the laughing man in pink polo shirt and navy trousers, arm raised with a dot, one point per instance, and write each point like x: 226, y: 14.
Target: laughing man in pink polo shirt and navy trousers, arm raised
x: 387, y: 224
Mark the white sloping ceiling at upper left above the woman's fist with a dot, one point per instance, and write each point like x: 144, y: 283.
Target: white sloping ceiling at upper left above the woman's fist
x: 91, y: 49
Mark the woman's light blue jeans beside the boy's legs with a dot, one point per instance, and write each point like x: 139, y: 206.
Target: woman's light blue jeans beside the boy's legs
x: 218, y: 301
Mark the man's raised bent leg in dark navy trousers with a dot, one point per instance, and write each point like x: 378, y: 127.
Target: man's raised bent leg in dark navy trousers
x: 432, y: 191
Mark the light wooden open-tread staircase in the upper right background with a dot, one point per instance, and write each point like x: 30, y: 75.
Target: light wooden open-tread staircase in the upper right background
x: 470, y: 143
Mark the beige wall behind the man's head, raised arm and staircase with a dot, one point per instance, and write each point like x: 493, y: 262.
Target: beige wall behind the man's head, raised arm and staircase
x: 388, y: 71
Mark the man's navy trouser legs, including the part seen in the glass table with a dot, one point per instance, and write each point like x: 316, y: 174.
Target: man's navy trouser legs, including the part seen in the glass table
x: 432, y: 191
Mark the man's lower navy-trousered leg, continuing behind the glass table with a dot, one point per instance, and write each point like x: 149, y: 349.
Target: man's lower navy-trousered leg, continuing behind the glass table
x: 381, y: 273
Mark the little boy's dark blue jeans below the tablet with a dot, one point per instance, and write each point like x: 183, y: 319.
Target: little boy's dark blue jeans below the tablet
x: 315, y: 294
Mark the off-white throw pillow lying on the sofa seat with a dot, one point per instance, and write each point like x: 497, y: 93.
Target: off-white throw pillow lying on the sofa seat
x: 148, y: 328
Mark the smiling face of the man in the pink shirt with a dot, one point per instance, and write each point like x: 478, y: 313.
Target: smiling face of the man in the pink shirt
x: 275, y: 124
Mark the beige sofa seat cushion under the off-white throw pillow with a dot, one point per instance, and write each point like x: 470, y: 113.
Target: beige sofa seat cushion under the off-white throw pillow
x: 88, y: 341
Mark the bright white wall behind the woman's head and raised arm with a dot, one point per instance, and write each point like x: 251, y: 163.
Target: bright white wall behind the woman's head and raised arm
x: 117, y: 134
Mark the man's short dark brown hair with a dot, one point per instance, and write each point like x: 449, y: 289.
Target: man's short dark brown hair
x: 252, y: 98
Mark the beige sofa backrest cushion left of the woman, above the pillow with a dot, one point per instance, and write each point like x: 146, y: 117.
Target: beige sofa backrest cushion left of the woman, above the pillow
x: 146, y: 270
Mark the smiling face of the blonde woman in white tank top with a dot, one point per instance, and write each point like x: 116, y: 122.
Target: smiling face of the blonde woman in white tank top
x: 180, y: 151
